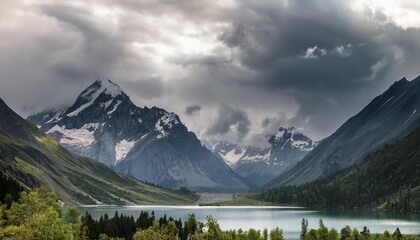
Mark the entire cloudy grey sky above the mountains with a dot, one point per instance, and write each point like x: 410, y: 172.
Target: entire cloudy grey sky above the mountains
x: 230, y: 69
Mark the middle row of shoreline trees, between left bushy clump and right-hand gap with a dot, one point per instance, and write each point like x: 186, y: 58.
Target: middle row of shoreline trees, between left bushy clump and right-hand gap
x: 148, y: 227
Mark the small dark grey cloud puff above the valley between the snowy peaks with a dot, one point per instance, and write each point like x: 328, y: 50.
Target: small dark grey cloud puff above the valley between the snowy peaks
x: 230, y: 120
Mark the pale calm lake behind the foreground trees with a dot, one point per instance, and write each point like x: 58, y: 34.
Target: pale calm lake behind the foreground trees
x: 286, y: 218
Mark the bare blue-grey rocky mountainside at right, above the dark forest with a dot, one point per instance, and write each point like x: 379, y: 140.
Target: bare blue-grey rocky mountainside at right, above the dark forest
x: 388, y: 117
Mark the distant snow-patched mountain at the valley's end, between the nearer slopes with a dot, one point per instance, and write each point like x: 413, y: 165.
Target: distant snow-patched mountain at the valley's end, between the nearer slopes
x: 258, y: 165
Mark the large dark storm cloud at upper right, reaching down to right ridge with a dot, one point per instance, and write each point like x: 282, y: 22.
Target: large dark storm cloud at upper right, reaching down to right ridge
x: 324, y: 55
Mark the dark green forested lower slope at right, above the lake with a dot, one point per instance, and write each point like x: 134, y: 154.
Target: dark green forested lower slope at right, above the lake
x: 388, y: 178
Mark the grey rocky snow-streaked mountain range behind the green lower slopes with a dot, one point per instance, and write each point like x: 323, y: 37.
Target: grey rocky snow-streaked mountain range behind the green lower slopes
x: 153, y: 145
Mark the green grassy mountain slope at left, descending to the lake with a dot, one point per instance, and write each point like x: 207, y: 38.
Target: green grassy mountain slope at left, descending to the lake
x: 35, y: 159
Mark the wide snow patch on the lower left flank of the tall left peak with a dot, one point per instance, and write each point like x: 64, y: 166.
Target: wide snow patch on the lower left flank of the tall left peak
x: 82, y: 137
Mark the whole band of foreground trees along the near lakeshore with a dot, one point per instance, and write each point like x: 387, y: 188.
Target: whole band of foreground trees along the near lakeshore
x: 39, y: 215
